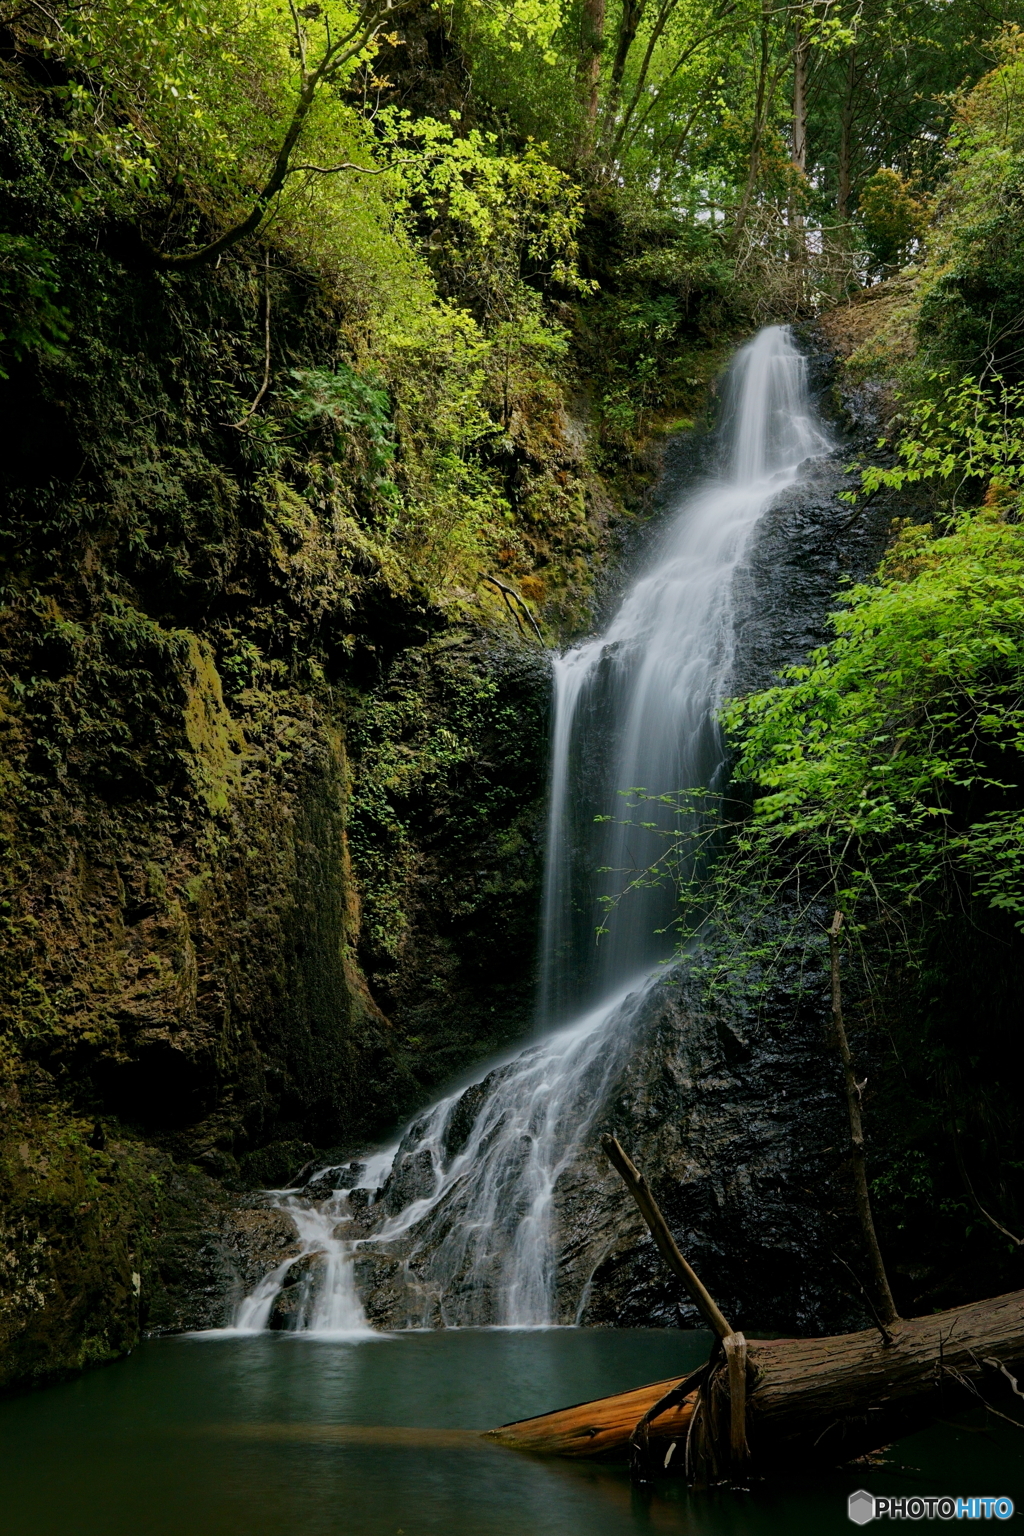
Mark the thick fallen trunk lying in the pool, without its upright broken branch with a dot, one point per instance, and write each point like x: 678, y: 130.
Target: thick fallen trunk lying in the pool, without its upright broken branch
x: 808, y: 1400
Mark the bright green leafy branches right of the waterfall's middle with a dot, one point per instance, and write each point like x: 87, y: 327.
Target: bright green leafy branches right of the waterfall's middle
x: 894, y: 753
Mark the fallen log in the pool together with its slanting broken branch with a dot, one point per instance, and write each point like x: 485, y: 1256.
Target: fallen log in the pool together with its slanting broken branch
x: 762, y: 1403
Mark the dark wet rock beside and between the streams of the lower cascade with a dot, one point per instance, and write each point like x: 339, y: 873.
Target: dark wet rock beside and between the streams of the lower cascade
x: 739, y: 1122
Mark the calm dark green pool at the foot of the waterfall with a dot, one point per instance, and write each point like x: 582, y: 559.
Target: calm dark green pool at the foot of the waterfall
x: 289, y: 1437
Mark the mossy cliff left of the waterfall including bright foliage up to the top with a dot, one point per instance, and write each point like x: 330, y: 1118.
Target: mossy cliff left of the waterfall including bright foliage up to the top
x: 279, y: 528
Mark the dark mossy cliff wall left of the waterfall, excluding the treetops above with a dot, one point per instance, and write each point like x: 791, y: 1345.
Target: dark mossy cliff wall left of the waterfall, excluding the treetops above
x: 271, y: 755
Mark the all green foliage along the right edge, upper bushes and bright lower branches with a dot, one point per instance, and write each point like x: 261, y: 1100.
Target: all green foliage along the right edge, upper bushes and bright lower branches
x: 893, y: 761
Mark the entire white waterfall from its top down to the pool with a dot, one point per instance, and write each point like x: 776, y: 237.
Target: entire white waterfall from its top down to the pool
x: 471, y: 1207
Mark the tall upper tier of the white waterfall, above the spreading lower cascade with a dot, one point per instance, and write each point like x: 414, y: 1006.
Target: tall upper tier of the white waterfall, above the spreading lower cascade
x: 636, y: 707
